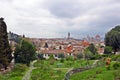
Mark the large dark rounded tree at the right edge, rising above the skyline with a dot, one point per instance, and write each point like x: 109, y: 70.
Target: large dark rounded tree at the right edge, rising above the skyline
x: 112, y: 38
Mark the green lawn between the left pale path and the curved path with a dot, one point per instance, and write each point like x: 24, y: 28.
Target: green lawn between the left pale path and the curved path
x: 54, y: 70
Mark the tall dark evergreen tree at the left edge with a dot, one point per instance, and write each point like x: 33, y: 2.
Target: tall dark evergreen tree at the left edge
x: 5, y: 50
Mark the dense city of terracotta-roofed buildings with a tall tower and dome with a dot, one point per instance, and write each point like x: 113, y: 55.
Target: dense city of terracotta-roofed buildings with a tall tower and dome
x: 67, y: 46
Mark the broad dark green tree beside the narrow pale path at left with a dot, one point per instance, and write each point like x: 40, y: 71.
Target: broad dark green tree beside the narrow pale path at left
x: 25, y: 52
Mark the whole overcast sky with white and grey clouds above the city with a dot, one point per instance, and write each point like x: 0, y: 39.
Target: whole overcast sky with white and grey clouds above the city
x: 55, y: 18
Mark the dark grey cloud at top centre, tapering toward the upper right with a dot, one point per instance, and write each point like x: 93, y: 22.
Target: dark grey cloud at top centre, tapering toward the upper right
x: 71, y: 8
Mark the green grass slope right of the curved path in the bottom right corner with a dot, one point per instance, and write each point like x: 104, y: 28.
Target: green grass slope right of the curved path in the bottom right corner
x: 100, y: 73
